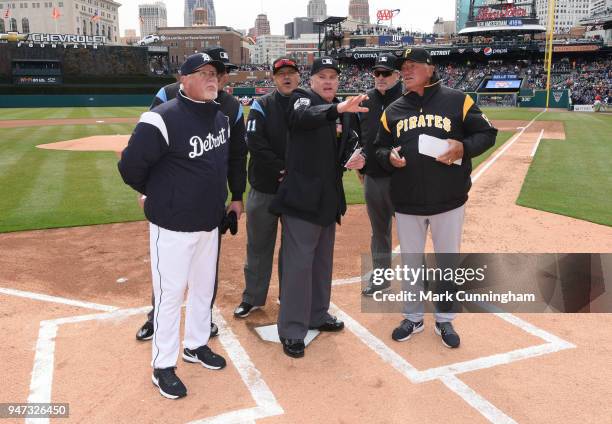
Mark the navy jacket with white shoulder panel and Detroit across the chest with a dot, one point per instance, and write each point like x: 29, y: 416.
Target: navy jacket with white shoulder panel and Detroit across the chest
x: 178, y: 156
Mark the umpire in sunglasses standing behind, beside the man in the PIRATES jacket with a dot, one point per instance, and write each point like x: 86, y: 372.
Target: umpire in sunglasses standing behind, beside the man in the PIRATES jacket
x: 376, y: 179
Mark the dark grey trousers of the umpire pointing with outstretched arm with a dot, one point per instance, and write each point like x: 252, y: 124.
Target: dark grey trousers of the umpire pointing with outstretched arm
x: 308, y: 256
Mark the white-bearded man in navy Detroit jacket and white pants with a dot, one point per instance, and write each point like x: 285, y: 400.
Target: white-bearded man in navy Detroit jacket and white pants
x: 178, y: 156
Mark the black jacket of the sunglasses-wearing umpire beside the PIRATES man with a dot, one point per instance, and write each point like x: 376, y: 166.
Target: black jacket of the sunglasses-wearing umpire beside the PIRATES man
x: 369, y: 123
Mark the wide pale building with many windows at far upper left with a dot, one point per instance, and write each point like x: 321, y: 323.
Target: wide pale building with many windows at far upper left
x: 79, y: 17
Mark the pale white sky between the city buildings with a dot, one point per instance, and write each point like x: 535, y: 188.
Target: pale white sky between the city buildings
x: 416, y: 15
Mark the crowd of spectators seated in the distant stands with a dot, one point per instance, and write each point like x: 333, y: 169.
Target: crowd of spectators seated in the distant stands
x: 584, y: 79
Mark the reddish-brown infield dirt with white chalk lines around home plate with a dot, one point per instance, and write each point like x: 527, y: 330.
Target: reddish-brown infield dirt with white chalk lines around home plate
x: 531, y: 368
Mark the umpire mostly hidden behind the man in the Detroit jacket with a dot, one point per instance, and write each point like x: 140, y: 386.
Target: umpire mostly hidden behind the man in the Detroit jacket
x: 233, y: 109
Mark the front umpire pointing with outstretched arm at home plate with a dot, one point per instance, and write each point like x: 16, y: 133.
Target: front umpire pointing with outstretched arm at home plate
x: 311, y: 200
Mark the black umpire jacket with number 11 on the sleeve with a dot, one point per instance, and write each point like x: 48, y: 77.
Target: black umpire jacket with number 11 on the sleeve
x: 266, y: 140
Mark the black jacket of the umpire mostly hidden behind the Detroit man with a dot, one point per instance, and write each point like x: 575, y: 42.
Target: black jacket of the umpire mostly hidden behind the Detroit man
x: 231, y: 108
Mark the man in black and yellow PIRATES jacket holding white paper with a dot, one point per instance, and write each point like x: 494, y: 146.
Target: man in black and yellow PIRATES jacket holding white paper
x: 430, y: 191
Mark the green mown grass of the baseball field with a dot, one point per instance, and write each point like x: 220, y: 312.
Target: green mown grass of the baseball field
x: 50, y: 189
